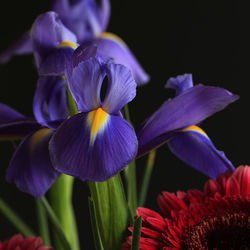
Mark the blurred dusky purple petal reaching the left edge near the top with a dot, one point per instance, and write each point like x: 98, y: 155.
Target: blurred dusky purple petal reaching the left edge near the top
x: 20, y: 47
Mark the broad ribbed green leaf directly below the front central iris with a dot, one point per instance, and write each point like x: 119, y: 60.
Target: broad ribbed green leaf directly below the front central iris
x: 111, y: 211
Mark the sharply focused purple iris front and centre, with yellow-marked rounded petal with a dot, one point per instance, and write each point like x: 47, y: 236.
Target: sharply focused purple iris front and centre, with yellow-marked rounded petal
x: 96, y: 143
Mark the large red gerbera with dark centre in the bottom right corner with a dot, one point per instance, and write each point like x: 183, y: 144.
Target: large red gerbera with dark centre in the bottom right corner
x: 217, y: 218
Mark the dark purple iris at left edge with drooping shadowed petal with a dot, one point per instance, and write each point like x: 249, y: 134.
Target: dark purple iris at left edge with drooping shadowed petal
x: 30, y: 167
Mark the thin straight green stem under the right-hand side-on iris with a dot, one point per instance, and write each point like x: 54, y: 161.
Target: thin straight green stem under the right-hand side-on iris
x: 146, y: 177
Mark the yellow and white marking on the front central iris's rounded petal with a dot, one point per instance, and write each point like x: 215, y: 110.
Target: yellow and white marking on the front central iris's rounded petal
x: 97, y: 121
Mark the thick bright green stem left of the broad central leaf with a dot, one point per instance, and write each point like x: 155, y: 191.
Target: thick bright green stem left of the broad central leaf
x: 61, y: 202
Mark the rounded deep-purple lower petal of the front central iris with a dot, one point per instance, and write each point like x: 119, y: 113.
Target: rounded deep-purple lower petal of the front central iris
x: 72, y: 152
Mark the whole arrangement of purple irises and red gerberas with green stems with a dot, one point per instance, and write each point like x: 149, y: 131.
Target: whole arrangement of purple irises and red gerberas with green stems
x: 81, y: 130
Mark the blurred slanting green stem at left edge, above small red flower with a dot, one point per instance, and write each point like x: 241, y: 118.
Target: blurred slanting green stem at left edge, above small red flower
x: 15, y: 219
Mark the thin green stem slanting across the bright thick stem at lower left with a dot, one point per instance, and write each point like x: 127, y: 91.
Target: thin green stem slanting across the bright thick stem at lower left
x: 64, y: 244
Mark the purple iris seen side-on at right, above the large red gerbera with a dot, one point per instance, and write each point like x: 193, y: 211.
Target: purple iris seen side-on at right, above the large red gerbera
x: 174, y: 122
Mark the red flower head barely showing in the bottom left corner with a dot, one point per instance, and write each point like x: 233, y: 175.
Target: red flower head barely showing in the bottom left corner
x: 17, y: 242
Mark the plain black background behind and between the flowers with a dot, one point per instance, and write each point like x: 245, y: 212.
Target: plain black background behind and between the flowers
x: 205, y: 38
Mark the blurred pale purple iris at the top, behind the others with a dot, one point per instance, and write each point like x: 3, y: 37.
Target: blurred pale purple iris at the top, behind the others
x: 83, y: 21
